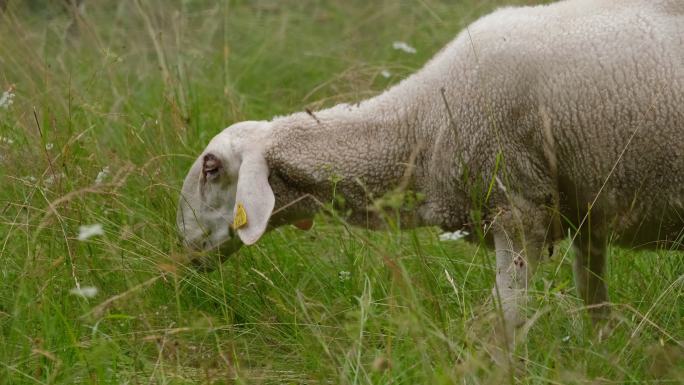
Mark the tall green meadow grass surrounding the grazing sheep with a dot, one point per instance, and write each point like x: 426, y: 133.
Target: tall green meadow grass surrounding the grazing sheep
x: 140, y: 87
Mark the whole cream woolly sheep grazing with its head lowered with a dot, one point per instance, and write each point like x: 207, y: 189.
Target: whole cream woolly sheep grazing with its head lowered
x: 545, y: 120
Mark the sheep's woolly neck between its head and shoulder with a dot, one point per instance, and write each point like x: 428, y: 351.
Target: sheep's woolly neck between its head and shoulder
x: 349, y: 156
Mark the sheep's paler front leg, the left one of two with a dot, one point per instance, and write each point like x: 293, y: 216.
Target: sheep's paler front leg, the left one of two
x: 515, y: 264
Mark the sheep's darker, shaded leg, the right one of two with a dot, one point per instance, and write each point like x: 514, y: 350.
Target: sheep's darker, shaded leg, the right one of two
x: 589, y: 269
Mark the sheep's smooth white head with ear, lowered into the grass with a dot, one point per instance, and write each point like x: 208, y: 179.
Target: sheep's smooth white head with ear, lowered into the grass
x: 226, y: 200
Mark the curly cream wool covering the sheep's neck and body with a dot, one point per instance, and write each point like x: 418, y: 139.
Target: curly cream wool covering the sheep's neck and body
x: 567, y: 106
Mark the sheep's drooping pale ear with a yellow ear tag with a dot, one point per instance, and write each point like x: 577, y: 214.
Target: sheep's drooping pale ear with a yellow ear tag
x: 254, y: 199
